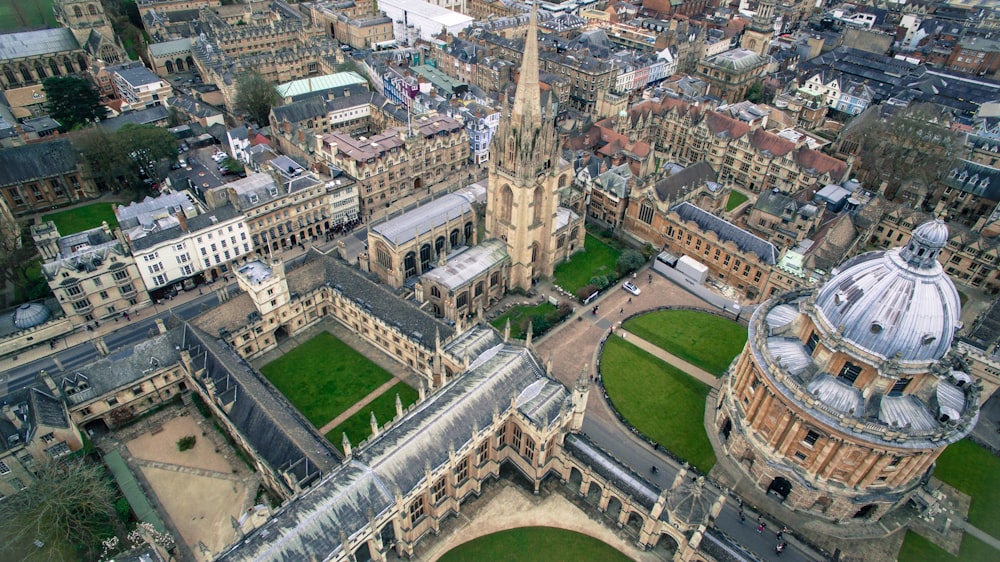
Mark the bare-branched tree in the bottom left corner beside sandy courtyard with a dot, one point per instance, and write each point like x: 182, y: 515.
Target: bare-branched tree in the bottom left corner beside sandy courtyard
x: 70, y: 502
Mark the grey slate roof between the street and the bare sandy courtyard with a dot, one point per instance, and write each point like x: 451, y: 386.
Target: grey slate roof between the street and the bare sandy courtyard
x: 122, y: 368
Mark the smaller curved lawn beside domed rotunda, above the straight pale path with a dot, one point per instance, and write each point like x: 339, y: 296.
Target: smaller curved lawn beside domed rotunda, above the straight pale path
x: 705, y: 340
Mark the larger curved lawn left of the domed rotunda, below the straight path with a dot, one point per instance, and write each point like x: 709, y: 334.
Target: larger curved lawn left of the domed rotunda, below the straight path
x: 659, y: 400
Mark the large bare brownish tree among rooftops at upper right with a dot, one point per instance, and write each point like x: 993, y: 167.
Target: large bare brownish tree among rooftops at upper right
x: 912, y: 146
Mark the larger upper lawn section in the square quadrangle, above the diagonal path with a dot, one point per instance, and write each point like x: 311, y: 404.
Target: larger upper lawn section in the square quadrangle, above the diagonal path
x: 324, y: 376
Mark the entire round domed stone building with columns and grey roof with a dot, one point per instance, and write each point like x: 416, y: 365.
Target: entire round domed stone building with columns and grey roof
x: 844, y: 396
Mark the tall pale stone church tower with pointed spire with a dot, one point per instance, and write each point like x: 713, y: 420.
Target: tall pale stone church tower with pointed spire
x: 525, y: 176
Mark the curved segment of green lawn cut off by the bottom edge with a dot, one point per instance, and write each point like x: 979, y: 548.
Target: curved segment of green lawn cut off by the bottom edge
x: 534, y: 544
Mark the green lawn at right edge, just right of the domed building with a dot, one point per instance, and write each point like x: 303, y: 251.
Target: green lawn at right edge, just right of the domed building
x: 973, y: 470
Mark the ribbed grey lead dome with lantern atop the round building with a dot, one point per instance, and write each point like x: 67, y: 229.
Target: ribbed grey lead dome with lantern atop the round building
x: 897, y: 303
